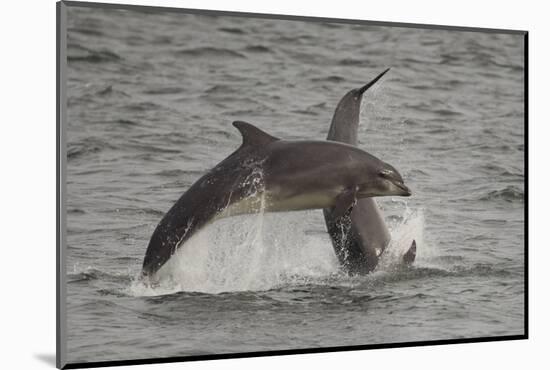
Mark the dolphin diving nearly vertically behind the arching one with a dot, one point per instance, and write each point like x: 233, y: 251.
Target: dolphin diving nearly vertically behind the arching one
x: 359, y: 238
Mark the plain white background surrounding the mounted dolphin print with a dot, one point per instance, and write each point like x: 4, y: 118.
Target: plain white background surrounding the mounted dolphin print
x: 27, y: 154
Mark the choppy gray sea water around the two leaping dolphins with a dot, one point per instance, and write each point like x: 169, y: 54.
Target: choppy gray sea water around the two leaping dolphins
x: 151, y: 98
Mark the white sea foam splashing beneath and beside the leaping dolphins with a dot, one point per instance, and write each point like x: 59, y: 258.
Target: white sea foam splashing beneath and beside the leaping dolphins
x: 264, y: 251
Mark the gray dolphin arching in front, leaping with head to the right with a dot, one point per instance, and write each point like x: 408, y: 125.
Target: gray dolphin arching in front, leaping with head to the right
x: 272, y: 175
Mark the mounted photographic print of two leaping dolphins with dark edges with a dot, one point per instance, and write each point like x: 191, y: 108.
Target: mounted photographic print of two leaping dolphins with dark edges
x: 234, y: 184
